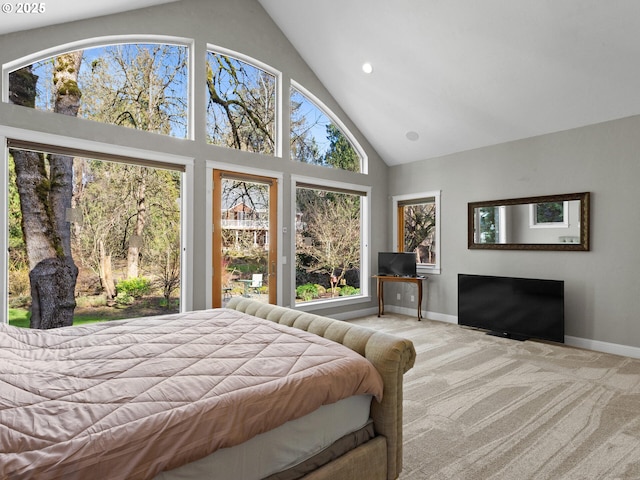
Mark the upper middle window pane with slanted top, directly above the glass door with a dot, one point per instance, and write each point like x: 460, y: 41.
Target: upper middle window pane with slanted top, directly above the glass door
x: 241, y: 108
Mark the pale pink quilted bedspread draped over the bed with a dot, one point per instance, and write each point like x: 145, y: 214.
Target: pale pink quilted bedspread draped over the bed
x: 128, y: 399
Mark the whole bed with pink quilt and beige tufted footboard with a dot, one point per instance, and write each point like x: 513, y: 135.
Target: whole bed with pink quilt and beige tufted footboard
x: 160, y: 397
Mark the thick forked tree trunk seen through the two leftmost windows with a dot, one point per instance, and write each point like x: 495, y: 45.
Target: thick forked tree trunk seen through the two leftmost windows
x: 44, y: 200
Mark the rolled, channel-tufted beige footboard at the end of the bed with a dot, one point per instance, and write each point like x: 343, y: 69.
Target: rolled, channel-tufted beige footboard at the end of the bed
x: 391, y: 356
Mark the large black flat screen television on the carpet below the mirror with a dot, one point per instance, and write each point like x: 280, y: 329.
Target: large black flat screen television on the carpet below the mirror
x: 518, y: 308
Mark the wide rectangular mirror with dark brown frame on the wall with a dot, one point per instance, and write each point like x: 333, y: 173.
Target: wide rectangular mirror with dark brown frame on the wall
x: 550, y: 222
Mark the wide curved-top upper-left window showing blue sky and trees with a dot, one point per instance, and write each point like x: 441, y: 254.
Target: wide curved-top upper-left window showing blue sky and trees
x: 141, y: 86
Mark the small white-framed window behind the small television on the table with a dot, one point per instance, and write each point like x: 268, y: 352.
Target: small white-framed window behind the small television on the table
x: 417, y: 228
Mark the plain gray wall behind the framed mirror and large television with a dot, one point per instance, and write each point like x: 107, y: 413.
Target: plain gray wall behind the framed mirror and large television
x: 602, y: 286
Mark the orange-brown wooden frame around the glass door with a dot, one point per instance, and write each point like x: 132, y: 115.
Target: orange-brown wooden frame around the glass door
x: 272, y: 256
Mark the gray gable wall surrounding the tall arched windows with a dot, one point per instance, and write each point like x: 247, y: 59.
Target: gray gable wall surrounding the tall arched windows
x: 238, y: 25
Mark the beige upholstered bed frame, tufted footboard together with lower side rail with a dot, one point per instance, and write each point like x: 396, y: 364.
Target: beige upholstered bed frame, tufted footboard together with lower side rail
x: 381, y: 457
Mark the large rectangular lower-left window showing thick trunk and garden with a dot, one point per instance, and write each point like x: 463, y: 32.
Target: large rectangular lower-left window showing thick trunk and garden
x: 100, y: 242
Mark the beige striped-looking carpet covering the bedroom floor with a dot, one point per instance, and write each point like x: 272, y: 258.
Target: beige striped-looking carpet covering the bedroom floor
x: 482, y: 407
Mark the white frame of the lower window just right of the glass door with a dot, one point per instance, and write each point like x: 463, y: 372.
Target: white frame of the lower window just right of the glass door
x: 365, y: 235
